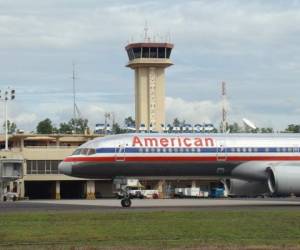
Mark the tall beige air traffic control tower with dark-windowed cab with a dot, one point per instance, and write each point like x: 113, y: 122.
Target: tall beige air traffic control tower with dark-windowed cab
x: 149, y: 60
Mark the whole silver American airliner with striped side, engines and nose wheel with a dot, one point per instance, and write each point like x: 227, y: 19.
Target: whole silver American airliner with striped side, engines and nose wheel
x: 250, y: 164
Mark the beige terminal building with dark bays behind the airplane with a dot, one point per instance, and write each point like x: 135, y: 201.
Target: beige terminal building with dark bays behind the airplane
x: 40, y: 156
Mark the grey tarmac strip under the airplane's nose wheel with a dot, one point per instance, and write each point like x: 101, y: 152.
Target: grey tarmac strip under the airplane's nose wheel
x: 107, y: 205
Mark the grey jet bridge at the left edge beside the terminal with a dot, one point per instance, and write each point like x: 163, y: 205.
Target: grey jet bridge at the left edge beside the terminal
x: 10, y: 170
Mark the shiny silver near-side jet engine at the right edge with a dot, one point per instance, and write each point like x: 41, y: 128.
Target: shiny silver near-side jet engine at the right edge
x: 284, y: 180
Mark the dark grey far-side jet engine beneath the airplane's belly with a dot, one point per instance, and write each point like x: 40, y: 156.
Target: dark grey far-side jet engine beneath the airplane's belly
x: 236, y: 187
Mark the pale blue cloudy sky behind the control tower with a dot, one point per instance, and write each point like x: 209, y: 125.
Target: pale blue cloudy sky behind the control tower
x: 251, y: 45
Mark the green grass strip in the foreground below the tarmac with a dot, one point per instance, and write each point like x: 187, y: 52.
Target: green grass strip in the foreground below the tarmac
x: 151, y: 229
